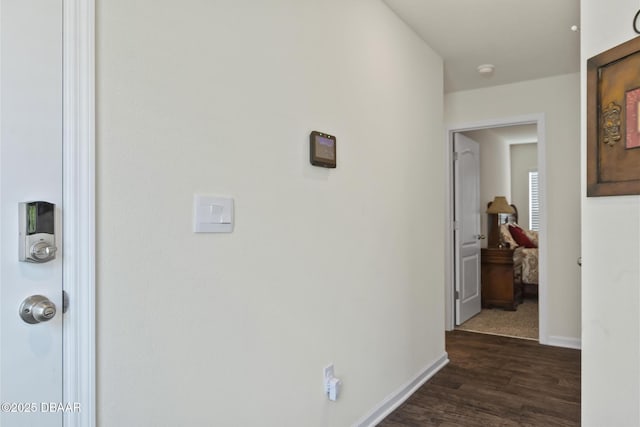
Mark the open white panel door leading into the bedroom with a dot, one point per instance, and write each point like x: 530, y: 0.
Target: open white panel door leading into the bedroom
x: 467, y: 227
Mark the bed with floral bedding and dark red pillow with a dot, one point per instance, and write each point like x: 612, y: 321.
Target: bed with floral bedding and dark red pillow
x: 525, y: 254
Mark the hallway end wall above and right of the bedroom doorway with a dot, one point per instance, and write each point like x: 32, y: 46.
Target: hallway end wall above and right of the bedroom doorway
x: 557, y: 98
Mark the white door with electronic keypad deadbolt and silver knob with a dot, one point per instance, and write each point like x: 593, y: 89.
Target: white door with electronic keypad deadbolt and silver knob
x: 30, y: 170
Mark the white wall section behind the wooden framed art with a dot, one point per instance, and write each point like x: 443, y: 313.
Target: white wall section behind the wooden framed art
x: 611, y: 259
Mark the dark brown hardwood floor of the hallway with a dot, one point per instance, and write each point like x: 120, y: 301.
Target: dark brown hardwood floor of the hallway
x: 497, y: 381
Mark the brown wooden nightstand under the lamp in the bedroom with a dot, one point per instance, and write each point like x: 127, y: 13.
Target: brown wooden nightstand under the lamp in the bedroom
x: 500, y: 288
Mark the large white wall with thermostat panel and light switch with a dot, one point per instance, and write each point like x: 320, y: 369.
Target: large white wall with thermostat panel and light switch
x: 342, y: 266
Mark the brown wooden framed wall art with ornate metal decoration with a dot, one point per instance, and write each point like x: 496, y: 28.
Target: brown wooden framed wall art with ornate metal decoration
x: 613, y: 121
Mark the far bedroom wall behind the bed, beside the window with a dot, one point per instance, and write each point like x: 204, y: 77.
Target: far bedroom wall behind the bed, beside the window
x: 524, y: 159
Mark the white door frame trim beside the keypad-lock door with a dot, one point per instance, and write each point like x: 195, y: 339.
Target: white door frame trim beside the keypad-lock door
x: 79, y: 377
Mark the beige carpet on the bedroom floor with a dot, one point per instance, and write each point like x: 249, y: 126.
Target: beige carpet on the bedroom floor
x: 522, y: 323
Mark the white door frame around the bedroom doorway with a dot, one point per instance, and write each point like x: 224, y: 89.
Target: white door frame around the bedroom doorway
x: 539, y: 121
